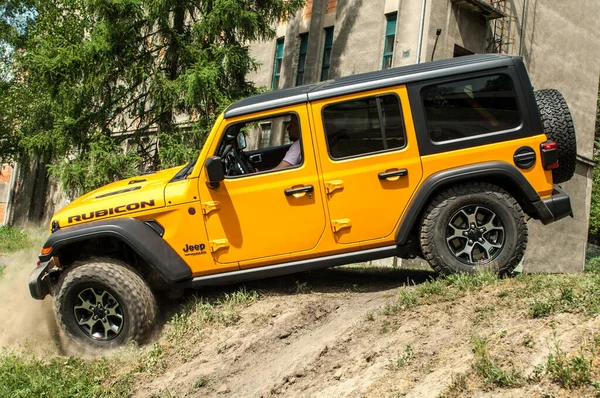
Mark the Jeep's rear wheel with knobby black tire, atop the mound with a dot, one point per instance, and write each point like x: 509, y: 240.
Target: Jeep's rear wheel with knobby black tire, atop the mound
x: 487, y: 200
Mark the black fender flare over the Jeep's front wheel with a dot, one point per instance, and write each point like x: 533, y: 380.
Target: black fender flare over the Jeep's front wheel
x: 135, y: 234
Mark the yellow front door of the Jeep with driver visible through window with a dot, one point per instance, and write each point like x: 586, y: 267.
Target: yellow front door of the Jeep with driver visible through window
x: 258, y: 213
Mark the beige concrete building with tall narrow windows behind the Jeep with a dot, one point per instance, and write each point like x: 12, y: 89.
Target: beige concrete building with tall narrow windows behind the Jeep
x: 557, y: 39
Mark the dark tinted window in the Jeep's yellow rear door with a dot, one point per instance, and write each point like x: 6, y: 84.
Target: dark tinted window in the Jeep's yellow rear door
x: 364, y: 126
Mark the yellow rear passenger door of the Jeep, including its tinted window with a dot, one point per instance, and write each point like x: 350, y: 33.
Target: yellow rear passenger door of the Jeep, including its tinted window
x: 370, y: 162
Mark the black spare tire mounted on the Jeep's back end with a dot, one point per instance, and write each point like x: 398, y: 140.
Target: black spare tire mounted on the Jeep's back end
x: 558, y: 126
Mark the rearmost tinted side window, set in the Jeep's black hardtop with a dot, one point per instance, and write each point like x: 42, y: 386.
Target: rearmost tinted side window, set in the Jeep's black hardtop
x: 470, y: 107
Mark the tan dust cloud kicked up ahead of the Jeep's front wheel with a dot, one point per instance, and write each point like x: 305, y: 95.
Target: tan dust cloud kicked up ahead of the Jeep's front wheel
x: 25, y: 322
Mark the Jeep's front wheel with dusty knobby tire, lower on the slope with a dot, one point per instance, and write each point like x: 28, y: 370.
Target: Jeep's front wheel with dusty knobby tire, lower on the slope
x: 113, y: 281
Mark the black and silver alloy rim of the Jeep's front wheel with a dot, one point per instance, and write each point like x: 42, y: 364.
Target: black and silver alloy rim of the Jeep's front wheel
x: 98, y: 314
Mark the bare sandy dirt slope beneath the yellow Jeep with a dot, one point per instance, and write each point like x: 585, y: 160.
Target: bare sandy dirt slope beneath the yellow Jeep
x: 353, y: 334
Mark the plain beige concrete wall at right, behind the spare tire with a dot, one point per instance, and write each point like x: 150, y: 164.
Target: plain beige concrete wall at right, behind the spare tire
x: 561, y: 49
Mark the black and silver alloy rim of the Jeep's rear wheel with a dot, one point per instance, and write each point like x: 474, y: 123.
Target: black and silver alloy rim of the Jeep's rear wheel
x: 475, y: 235
